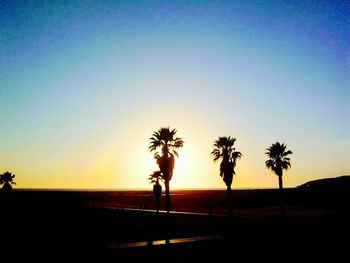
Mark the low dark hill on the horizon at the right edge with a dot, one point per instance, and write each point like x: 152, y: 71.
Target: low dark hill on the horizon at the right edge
x: 340, y: 183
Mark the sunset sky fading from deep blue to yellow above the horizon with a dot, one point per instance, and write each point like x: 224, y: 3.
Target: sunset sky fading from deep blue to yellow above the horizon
x: 84, y: 84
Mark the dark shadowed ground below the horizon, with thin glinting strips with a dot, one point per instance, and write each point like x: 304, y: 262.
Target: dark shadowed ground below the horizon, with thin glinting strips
x: 63, y: 225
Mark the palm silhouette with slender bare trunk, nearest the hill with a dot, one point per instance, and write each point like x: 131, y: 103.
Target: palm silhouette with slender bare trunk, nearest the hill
x: 278, y: 160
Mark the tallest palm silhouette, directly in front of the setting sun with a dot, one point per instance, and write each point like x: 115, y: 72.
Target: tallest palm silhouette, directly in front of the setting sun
x: 163, y: 144
